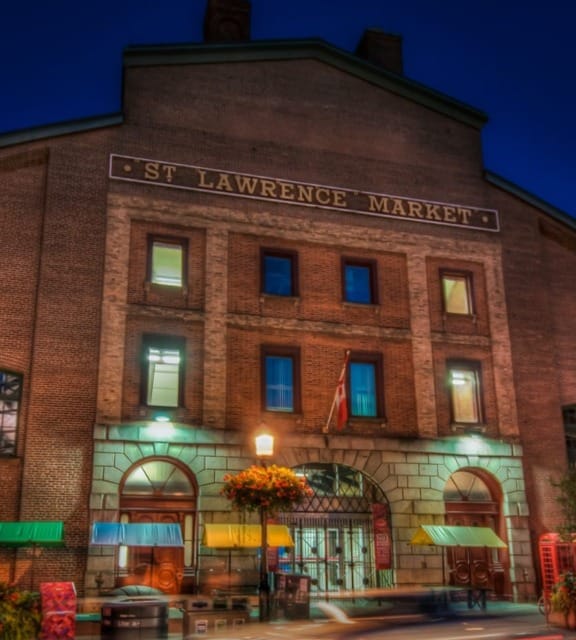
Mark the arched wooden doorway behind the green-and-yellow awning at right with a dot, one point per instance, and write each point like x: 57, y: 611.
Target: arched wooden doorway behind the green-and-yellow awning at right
x: 472, y: 498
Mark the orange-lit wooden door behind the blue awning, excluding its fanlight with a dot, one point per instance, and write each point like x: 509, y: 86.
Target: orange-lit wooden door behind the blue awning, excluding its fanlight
x: 157, y: 567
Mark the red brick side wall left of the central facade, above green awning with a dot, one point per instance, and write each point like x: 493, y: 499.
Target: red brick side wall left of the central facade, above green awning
x: 55, y: 217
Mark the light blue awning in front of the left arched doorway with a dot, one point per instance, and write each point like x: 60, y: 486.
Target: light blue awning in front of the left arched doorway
x: 137, y: 534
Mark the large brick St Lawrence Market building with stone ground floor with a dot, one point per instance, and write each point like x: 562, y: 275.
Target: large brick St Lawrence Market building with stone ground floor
x: 210, y: 255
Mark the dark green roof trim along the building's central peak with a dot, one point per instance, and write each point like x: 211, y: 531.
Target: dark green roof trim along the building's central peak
x: 315, y: 48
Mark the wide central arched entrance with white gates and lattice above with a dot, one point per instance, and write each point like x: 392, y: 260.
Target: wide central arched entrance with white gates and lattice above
x: 336, y: 530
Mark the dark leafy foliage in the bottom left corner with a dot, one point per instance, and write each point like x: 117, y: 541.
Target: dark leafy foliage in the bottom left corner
x: 20, y: 613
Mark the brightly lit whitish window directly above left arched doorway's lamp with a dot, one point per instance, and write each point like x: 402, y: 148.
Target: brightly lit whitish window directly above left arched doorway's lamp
x: 164, y: 371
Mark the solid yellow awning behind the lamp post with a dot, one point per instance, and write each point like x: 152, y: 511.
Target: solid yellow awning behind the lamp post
x: 229, y: 536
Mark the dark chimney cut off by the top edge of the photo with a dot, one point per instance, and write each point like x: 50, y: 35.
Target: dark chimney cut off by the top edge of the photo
x: 227, y: 21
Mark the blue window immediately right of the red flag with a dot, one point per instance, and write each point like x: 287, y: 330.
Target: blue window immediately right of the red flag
x: 364, y: 381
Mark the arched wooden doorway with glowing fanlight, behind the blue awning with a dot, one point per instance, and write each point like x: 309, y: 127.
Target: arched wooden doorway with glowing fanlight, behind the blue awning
x: 159, y: 490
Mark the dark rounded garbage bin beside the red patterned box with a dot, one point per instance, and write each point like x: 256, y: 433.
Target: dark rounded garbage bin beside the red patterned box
x: 132, y: 619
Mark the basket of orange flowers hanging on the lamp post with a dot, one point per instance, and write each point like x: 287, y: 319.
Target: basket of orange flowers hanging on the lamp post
x: 271, y: 488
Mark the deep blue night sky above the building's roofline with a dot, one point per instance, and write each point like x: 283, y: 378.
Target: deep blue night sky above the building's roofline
x: 514, y: 60
